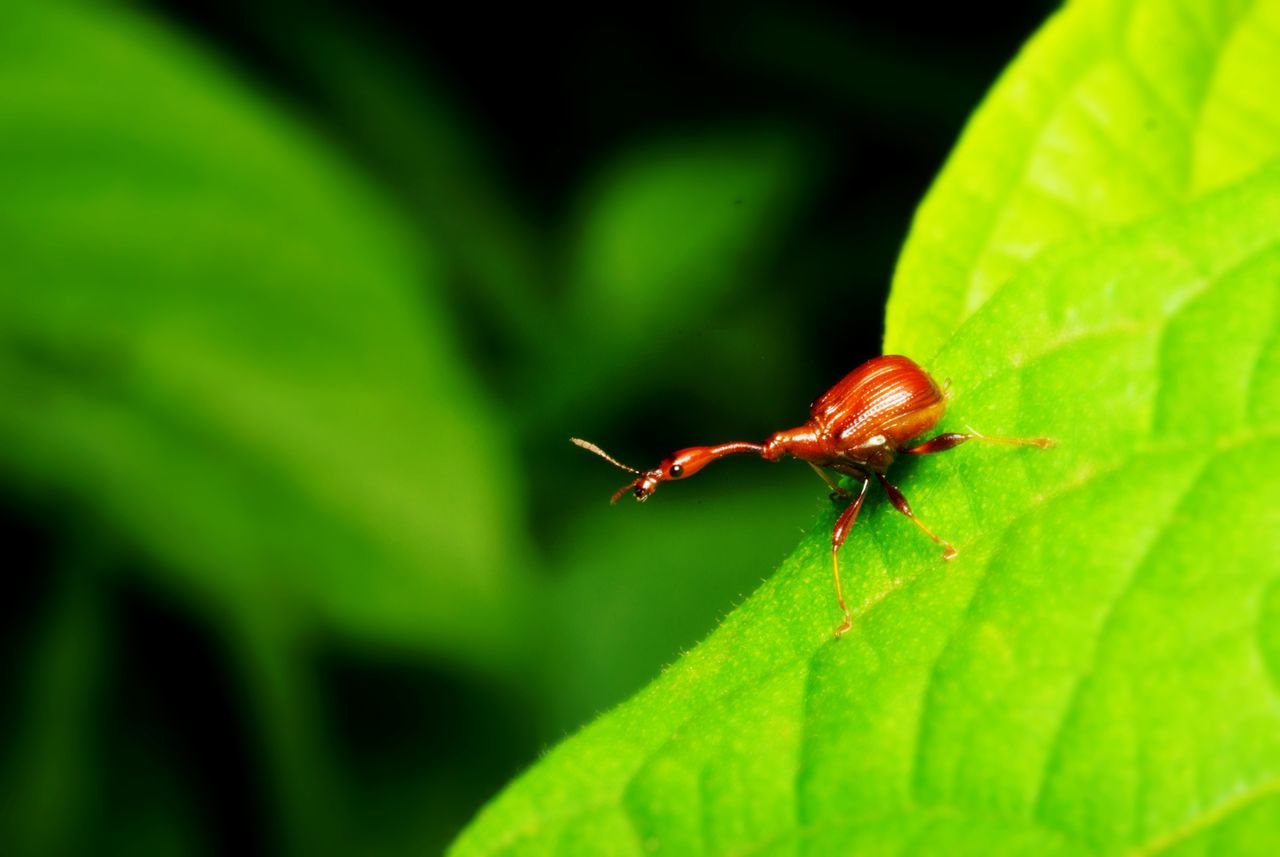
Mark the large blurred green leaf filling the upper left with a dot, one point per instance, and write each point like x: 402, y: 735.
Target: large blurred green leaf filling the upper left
x: 217, y: 338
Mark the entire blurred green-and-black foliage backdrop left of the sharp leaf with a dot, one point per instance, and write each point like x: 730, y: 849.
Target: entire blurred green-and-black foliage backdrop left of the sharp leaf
x: 300, y: 306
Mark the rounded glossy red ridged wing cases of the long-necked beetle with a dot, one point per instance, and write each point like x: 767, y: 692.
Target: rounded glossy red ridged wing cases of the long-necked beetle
x: 888, y: 396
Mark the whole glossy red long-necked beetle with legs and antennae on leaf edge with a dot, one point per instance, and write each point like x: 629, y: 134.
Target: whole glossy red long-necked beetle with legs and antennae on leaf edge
x: 856, y: 429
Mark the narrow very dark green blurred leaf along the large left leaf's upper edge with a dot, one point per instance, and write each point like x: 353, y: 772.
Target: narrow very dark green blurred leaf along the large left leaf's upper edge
x: 433, y: 159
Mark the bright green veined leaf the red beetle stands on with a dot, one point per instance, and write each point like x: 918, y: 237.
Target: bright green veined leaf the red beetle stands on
x: 1100, y: 670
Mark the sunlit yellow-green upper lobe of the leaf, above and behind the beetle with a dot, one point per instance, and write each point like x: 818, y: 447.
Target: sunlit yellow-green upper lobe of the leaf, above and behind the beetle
x: 1121, y: 112
